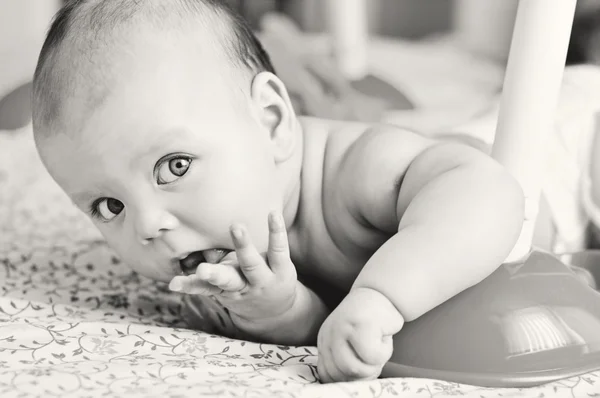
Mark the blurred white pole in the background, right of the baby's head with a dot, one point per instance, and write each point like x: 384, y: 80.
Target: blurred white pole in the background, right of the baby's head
x: 347, y: 24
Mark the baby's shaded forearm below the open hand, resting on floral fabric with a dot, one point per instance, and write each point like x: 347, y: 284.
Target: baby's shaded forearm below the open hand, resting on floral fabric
x: 299, y: 326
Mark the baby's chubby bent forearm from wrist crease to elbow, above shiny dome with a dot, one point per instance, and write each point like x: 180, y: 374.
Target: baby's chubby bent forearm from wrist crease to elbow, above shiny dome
x: 457, y: 230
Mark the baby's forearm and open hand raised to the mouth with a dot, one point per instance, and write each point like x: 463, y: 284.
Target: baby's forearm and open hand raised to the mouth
x: 265, y: 301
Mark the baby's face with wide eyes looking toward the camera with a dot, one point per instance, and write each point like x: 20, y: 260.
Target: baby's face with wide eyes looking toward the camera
x: 166, y: 164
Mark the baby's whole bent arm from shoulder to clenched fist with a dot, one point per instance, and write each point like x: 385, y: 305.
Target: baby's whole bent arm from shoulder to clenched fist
x: 455, y: 215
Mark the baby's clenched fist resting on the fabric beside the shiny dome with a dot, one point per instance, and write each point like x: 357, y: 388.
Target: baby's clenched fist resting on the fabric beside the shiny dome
x: 355, y: 341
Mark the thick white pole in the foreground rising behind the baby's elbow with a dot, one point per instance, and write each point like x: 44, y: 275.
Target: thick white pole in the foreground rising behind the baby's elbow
x: 530, y: 96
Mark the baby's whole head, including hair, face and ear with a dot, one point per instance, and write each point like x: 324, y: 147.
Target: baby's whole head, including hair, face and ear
x: 162, y: 120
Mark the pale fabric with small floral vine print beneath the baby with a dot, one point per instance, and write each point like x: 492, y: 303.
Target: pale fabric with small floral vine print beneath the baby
x: 76, y: 322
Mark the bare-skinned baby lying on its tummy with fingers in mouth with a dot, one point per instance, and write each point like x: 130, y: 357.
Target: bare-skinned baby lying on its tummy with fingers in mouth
x: 164, y: 121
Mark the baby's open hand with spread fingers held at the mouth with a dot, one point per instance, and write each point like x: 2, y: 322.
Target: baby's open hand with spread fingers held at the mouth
x: 250, y: 288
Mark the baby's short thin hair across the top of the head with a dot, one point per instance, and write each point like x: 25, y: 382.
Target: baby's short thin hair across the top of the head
x: 82, y: 29
